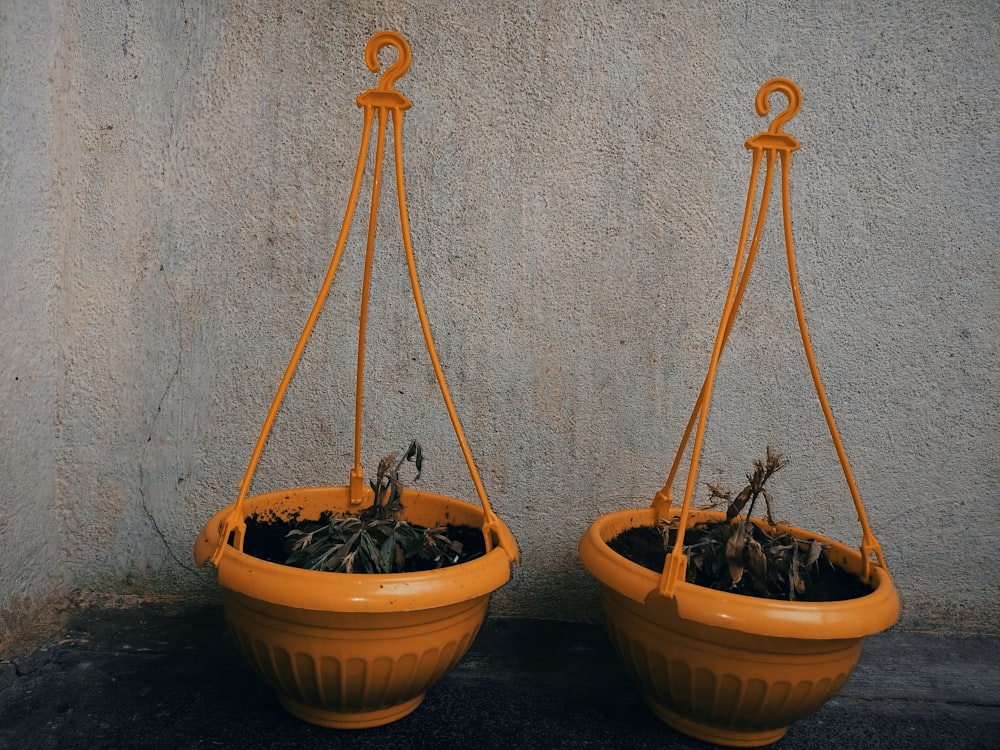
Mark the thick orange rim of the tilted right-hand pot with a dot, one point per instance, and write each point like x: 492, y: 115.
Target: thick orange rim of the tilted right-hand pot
x: 848, y: 618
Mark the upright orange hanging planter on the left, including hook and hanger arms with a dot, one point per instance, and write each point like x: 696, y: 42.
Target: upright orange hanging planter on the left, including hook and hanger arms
x: 354, y: 650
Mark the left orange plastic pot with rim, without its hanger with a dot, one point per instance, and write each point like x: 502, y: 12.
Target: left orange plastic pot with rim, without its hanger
x: 353, y: 650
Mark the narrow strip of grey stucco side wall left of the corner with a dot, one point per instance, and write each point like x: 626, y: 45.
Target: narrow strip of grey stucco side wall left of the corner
x: 35, y: 552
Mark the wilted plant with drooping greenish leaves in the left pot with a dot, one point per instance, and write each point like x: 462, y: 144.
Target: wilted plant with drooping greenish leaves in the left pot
x: 376, y: 540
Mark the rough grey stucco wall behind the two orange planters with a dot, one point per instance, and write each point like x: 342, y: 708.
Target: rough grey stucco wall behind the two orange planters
x: 175, y: 176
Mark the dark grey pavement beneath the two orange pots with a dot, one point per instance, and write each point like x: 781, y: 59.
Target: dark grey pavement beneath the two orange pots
x: 168, y: 676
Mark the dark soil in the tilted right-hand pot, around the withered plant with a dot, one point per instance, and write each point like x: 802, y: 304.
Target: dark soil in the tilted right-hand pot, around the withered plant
x: 645, y: 546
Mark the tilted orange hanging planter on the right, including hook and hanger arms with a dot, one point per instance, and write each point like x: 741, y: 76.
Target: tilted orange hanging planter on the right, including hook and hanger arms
x: 725, y: 667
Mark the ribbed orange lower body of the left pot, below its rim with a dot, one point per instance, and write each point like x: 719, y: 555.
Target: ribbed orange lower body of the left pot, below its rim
x: 352, y: 670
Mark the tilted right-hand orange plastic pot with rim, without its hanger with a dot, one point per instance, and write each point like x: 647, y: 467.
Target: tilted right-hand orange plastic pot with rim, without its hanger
x: 726, y: 668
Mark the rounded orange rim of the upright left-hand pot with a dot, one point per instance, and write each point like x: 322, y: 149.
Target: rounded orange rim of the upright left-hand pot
x: 299, y: 588
